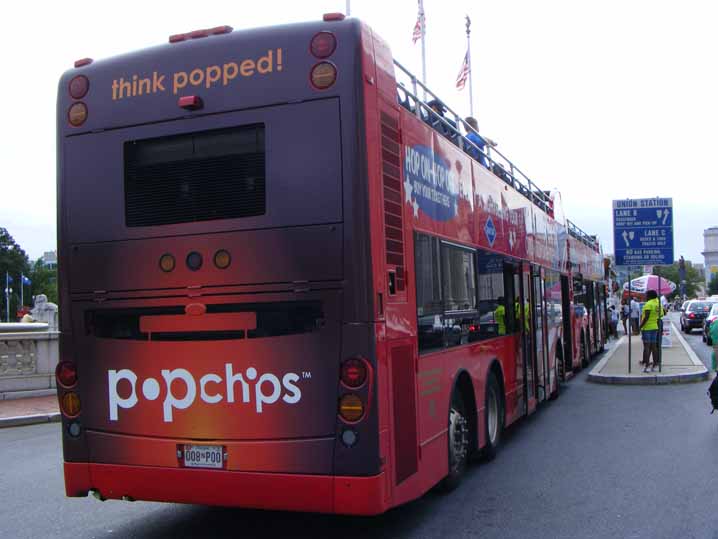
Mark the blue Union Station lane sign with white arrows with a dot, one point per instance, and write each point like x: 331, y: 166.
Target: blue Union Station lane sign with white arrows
x: 643, y: 231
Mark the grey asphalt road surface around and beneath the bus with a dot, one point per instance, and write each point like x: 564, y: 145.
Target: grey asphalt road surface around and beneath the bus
x: 601, y: 461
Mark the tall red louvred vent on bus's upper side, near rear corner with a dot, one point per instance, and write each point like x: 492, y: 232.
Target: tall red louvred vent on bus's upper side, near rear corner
x: 393, y: 206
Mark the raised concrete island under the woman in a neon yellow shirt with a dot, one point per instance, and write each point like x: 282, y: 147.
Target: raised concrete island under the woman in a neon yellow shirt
x: 680, y: 364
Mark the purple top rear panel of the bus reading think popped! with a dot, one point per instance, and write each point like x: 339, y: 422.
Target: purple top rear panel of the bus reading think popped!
x: 230, y: 71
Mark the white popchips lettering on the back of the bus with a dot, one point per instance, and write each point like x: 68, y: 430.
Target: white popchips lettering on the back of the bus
x: 265, y: 389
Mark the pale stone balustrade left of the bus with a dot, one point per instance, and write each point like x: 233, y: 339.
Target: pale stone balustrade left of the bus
x: 28, y: 356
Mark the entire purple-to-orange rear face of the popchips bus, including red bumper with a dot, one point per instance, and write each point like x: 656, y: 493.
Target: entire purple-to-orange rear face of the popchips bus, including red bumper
x: 217, y: 341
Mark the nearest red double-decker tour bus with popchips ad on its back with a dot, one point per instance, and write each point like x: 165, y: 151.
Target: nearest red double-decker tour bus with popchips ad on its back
x: 283, y: 288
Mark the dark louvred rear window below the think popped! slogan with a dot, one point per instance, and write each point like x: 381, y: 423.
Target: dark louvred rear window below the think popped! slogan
x: 203, y: 176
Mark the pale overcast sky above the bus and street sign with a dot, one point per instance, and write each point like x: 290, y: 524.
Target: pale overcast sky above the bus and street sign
x: 601, y: 100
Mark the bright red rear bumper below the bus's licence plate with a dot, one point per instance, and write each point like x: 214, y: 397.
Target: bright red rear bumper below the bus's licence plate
x: 291, y: 492
